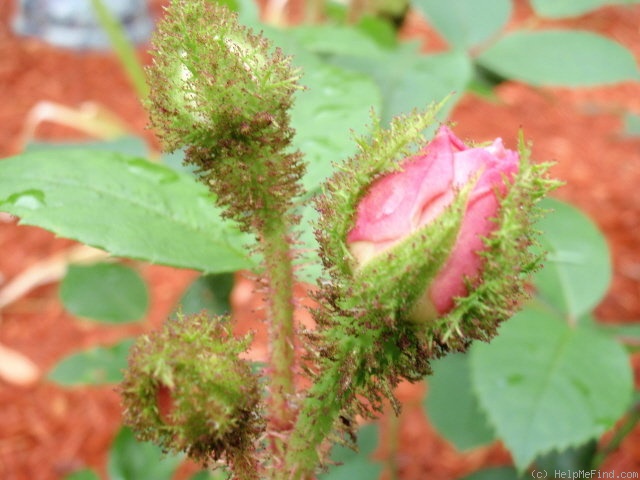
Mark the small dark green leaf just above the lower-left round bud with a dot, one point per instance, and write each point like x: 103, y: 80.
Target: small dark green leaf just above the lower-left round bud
x: 208, y: 292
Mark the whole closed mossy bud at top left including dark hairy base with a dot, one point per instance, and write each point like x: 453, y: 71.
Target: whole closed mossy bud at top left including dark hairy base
x: 223, y: 93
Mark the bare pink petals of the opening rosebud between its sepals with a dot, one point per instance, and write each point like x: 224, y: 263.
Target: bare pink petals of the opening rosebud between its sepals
x: 400, y: 203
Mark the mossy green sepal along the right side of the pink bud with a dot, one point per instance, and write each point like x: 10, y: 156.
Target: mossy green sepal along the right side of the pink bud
x: 509, y: 261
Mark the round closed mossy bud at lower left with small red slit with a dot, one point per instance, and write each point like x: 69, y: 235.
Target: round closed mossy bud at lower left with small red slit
x: 186, y: 390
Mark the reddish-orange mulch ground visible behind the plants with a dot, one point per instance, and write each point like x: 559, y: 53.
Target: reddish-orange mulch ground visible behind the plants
x: 47, y: 431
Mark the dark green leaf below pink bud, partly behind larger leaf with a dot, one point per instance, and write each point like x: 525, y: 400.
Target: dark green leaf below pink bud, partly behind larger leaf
x: 452, y: 406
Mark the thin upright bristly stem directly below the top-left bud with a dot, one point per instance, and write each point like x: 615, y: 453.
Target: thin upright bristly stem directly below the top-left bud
x: 279, y: 270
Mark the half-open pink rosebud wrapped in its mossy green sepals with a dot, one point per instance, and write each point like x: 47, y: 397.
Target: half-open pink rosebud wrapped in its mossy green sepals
x: 434, y: 234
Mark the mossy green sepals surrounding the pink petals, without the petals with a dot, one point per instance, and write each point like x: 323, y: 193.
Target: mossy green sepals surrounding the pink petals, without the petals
x: 394, y: 283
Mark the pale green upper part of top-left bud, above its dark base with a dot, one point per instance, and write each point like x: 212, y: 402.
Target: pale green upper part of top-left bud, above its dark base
x: 212, y: 79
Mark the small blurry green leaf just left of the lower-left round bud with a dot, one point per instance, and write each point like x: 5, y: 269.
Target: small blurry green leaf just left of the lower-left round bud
x: 94, y: 366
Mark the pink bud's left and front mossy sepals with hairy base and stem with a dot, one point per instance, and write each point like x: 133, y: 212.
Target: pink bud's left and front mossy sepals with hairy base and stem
x: 364, y: 344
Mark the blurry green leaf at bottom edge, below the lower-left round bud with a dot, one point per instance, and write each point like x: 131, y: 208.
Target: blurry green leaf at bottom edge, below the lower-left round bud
x: 130, y: 459
